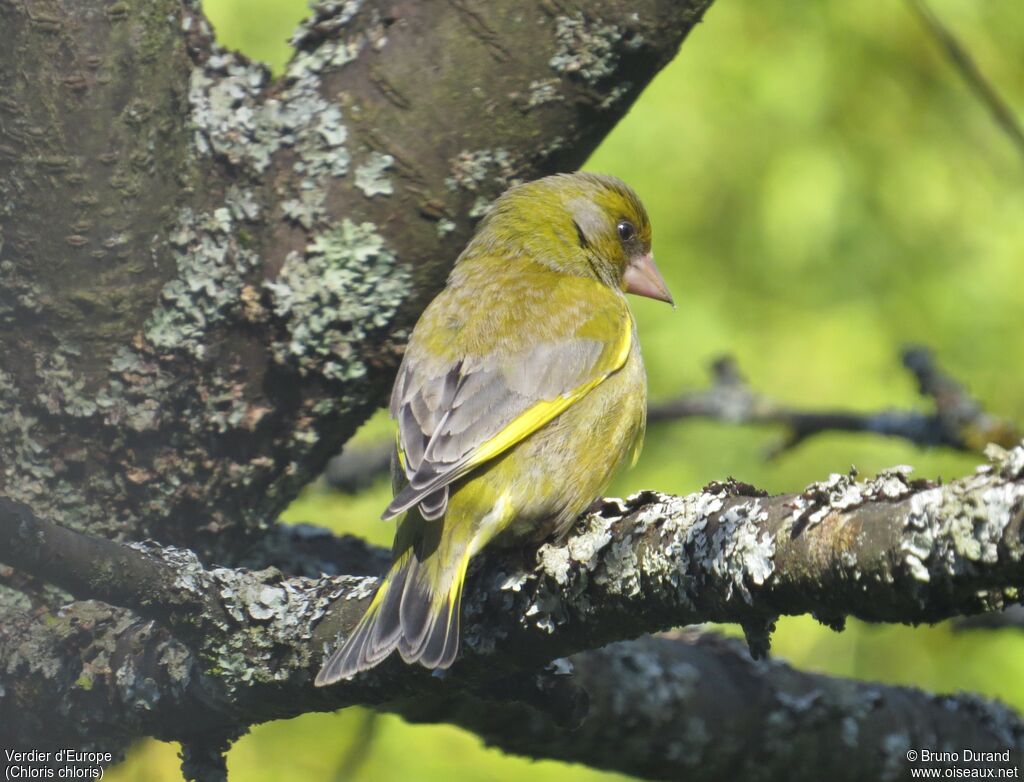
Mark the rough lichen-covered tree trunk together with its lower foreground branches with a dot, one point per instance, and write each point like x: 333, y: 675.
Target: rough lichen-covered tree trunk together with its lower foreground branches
x: 206, y: 280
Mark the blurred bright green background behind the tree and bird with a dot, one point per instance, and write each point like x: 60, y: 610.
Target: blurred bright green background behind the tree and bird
x: 824, y: 190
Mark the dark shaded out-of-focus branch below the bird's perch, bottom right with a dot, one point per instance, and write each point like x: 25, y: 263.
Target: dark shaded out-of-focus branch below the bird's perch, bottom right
x: 696, y: 707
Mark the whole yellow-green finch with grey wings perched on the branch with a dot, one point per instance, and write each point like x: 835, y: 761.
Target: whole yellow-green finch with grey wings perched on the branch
x: 521, y: 394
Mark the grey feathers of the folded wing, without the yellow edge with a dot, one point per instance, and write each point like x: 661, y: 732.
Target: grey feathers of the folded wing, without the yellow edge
x: 444, y: 419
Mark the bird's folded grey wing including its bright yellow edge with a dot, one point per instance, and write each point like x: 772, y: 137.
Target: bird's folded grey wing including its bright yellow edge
x: 457, y: 416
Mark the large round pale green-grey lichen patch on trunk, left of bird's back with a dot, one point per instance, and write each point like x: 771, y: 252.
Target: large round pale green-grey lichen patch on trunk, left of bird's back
x: 347, y: 286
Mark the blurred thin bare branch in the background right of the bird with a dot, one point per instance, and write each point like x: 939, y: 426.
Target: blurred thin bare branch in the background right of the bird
x: 959, y: 421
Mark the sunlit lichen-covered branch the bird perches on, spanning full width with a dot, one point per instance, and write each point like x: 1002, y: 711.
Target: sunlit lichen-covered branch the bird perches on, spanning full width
x: 887, y: 549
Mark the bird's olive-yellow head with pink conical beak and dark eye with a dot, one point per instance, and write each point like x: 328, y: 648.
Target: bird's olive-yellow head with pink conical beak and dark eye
x: 591, y: 226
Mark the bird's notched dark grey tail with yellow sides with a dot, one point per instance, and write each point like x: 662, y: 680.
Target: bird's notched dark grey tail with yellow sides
x: 416, y: 611
